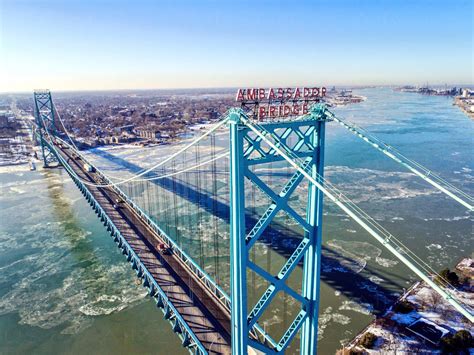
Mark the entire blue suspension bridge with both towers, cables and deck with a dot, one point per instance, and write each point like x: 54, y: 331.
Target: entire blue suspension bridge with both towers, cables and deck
x: 249, y: 184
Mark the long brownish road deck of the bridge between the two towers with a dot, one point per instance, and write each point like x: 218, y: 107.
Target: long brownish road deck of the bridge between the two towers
x: 209, y: 321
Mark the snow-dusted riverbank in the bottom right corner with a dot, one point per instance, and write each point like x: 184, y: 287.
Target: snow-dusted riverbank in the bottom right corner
x: 420, y: 320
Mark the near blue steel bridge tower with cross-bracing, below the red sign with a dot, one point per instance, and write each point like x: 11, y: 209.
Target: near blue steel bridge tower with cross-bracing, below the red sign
x: 303, y: 138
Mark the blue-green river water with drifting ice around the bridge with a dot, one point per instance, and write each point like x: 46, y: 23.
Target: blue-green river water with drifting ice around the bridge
x: 65, y: 288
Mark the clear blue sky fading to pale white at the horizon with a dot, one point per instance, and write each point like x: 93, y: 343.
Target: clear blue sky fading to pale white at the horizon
x: 84, y: 44
